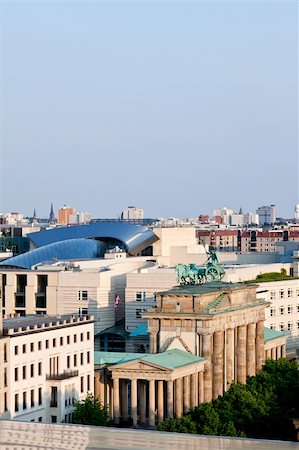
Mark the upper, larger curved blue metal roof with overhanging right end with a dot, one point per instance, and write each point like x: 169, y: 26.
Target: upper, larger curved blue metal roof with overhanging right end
x: 135, y: 238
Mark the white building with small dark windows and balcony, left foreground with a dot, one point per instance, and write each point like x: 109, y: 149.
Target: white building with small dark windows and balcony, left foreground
x: 47, y: 363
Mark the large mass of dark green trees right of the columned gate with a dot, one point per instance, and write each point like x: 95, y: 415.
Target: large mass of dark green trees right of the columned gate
x: 261, y: 408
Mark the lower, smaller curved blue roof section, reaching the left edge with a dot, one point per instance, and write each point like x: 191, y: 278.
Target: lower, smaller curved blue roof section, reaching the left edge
x: 65, y: 250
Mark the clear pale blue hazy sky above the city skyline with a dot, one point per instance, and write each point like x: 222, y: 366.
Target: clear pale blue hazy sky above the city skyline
x: 176, y: 107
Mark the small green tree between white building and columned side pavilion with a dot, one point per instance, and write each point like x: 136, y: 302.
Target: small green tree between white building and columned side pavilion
x: 90, y: 412
